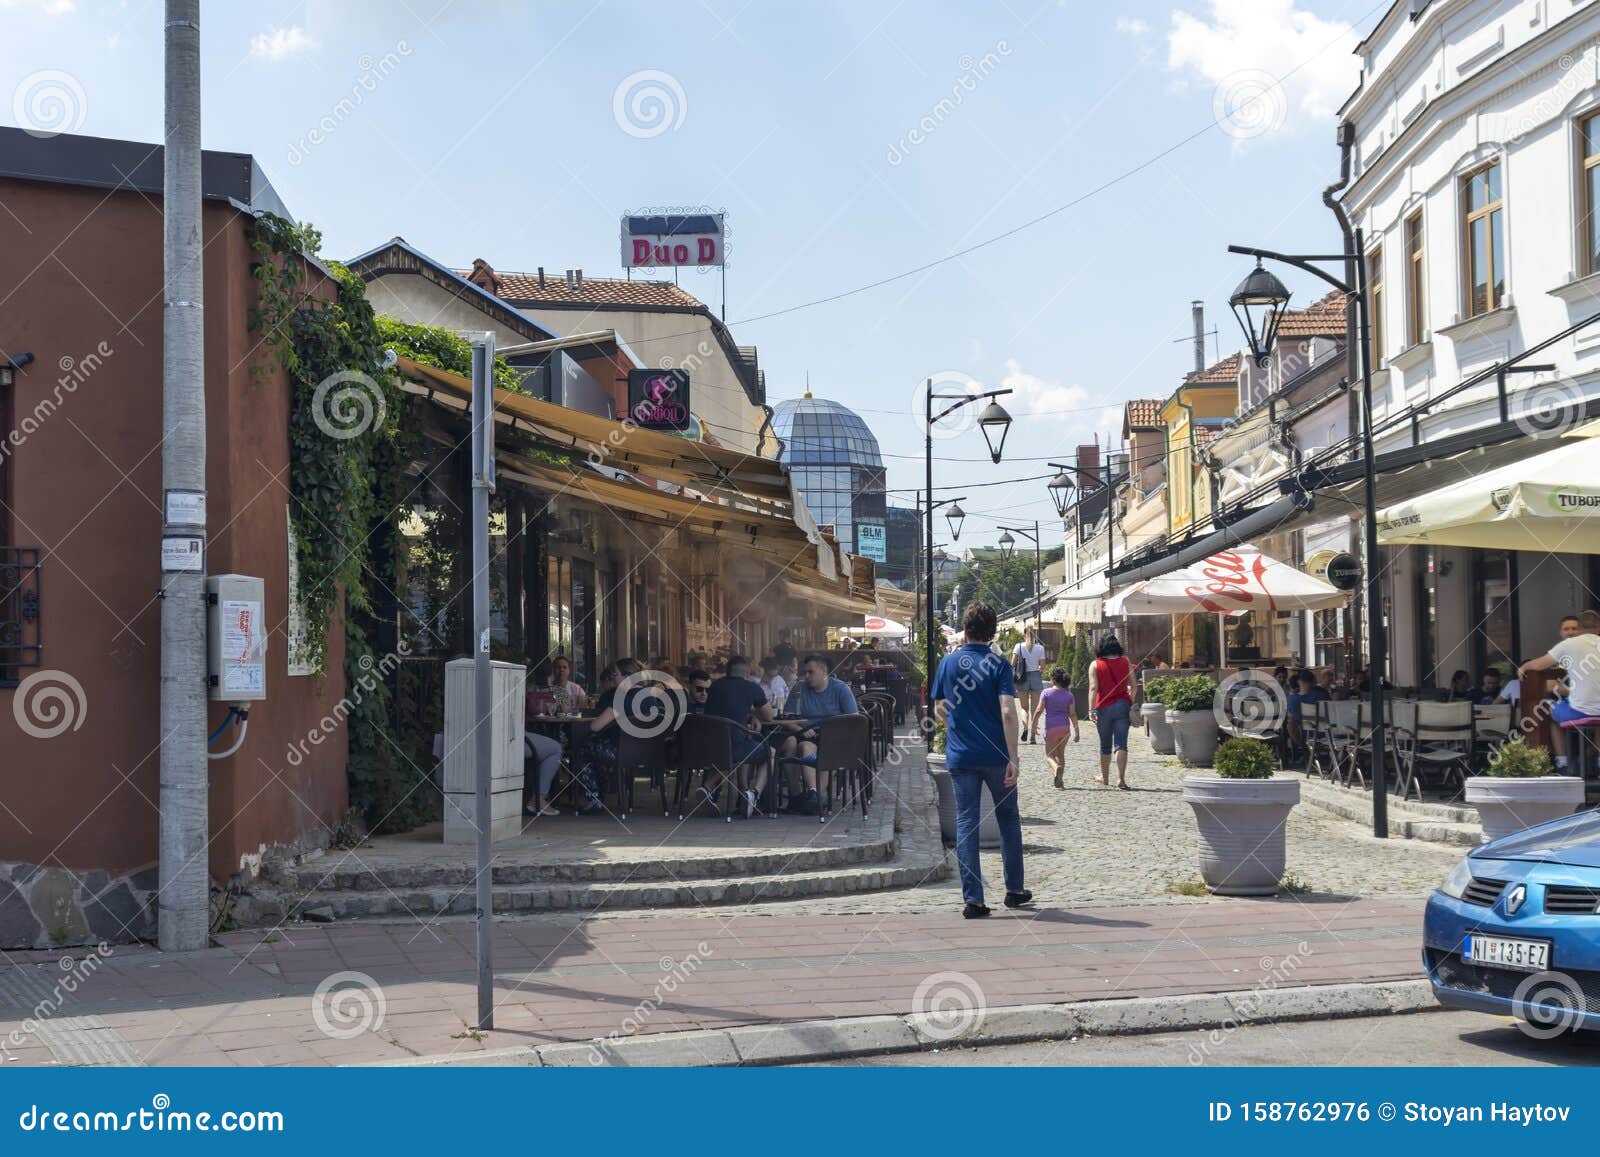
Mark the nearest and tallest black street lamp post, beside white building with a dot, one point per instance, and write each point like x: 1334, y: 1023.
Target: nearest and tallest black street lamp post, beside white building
x: 1260, y: 302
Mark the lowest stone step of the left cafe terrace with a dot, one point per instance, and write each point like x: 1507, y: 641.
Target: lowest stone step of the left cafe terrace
x: 273, y: 908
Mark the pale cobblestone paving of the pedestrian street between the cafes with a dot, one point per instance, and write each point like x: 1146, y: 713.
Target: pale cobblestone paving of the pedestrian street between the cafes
x: 1100, y: 846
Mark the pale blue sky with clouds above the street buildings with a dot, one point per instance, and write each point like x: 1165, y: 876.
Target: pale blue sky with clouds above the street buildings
x: 1065, y: 177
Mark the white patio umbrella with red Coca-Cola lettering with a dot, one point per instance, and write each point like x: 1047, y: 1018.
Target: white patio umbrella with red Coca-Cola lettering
x: 1228, y: 583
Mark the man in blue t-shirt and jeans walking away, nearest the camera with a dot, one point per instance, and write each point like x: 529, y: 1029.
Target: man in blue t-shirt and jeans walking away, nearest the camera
x: 975, y: 697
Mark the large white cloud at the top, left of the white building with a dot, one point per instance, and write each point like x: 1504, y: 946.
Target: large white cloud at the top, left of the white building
x: 1273, y: 66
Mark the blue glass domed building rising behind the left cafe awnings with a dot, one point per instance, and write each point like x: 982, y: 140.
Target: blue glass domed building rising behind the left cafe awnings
x: 838, y: 470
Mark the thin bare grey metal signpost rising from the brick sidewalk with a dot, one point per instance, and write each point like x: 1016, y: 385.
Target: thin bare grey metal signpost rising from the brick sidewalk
x: 484, y: 670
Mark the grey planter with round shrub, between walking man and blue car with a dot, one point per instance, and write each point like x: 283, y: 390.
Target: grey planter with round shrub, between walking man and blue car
x: 1241, y: 814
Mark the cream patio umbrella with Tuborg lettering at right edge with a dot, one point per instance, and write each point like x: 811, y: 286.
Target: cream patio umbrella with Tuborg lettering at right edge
x: 1543, y: 503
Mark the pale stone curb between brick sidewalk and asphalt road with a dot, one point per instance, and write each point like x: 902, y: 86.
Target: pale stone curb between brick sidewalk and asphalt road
x: 801, y: 1043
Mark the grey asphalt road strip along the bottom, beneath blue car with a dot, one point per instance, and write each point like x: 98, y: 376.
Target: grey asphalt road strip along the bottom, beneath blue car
x: 1417, y: 1039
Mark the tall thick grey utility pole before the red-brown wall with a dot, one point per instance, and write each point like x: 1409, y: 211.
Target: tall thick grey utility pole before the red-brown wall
x: 185, y: 899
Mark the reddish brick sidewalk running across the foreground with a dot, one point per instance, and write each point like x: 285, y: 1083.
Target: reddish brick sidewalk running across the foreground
x: 254, y: 999
